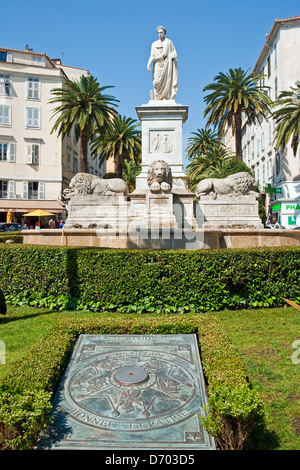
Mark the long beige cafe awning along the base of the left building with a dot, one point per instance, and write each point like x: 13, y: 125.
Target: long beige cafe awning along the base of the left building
x: 16, y: 205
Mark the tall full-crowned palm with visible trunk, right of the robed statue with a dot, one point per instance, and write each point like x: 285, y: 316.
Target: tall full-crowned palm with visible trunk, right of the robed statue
x: 232, y: 94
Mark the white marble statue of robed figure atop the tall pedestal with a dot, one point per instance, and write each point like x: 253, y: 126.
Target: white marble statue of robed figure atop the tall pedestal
x: 165, y: 73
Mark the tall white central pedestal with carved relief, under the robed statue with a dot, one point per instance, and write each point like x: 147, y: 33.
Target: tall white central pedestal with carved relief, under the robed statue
x: 162, y: 123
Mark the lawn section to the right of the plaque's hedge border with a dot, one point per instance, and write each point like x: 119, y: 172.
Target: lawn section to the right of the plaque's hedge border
x: 265, y: 338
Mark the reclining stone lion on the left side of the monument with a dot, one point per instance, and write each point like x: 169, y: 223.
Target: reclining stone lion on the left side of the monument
x: 84, y: 184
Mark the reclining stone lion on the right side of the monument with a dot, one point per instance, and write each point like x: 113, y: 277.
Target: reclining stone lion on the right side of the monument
x: 234, y: 185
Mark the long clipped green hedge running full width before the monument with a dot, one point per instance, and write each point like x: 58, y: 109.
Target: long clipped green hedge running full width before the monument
x: 148, y: 280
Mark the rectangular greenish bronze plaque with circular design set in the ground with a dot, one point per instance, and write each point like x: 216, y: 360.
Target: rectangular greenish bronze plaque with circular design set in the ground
x: 131, y: 392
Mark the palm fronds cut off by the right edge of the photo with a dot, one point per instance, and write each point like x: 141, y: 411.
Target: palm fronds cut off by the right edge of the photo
x: 288, y: 118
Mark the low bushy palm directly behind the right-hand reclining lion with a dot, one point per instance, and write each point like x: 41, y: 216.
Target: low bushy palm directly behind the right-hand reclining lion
x: 210, y: 165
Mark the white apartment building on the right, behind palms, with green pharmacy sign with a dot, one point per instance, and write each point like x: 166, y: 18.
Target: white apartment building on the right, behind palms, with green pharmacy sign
x: 276, y: 171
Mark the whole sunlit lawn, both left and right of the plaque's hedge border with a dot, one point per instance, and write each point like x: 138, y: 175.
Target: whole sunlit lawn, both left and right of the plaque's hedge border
x: 264, y: 338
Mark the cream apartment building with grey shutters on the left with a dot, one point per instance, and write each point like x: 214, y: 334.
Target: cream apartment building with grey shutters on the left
x: 35, y: 164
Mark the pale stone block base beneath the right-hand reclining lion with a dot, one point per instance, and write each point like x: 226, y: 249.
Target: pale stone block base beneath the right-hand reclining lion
x: 228, y: 212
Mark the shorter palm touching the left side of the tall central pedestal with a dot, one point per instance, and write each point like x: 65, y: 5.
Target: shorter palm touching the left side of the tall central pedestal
x: 121, y: 141
